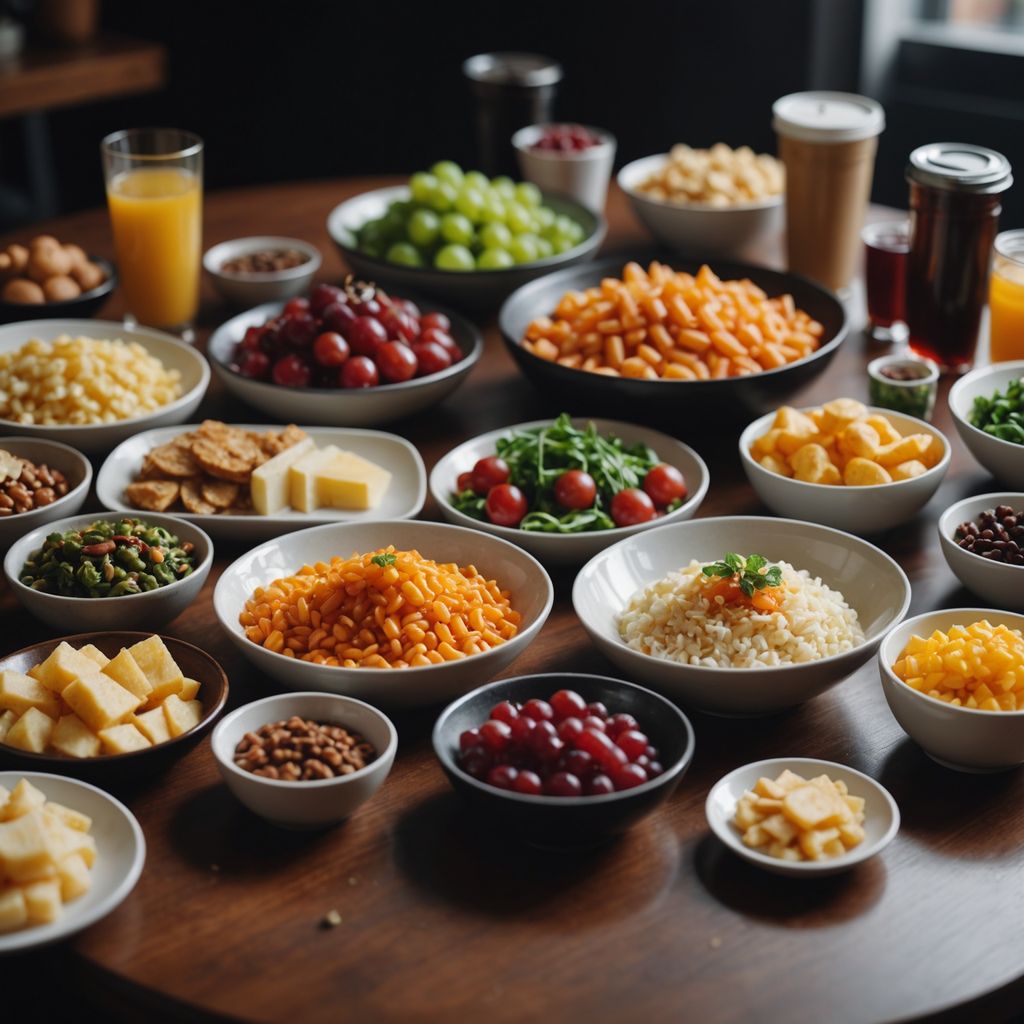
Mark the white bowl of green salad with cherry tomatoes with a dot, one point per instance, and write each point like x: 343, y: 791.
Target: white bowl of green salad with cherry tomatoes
x: 564, y: 490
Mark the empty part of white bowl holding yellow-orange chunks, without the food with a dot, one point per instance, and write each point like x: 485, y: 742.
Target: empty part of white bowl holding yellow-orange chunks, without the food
x: 858, y: 510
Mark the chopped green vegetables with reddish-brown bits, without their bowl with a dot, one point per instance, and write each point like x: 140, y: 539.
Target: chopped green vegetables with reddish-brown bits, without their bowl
x: 109, y: 560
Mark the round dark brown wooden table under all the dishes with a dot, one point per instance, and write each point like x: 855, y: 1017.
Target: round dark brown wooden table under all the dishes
x: 443, y: 920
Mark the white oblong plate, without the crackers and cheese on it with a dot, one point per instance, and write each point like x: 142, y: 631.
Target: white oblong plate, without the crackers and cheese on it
x: 404, y: 499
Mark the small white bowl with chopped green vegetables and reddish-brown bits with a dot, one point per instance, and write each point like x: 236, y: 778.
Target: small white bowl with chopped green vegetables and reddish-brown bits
x: 109, y: 572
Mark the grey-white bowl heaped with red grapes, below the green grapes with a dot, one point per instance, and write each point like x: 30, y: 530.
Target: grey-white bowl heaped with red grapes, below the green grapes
x: 345, y: 356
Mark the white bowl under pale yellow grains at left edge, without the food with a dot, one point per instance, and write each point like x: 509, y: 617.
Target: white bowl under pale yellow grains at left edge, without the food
x: 100, y: 438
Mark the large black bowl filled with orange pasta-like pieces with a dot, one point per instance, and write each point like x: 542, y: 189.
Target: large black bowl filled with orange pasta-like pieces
x: 671, y: 339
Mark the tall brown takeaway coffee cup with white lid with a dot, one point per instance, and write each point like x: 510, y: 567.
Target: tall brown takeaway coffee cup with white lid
x: 828, y: 142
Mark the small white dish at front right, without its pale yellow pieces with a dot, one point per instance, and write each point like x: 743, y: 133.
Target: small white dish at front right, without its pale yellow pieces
x: 881, y: 815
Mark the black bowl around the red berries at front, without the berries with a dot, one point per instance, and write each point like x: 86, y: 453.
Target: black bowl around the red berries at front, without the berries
x: 568, y: 822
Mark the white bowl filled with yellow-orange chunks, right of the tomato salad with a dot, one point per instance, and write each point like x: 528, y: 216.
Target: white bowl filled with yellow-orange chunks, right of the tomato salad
x: 844, y: 464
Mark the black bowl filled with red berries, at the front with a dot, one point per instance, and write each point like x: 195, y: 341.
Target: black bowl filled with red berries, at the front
x: 564, y: 759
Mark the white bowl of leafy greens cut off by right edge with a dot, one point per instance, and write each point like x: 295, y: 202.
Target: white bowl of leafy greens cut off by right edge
x: 989, y: 410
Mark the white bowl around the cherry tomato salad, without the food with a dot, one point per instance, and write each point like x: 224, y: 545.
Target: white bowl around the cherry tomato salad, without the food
x: 570, y: 549
